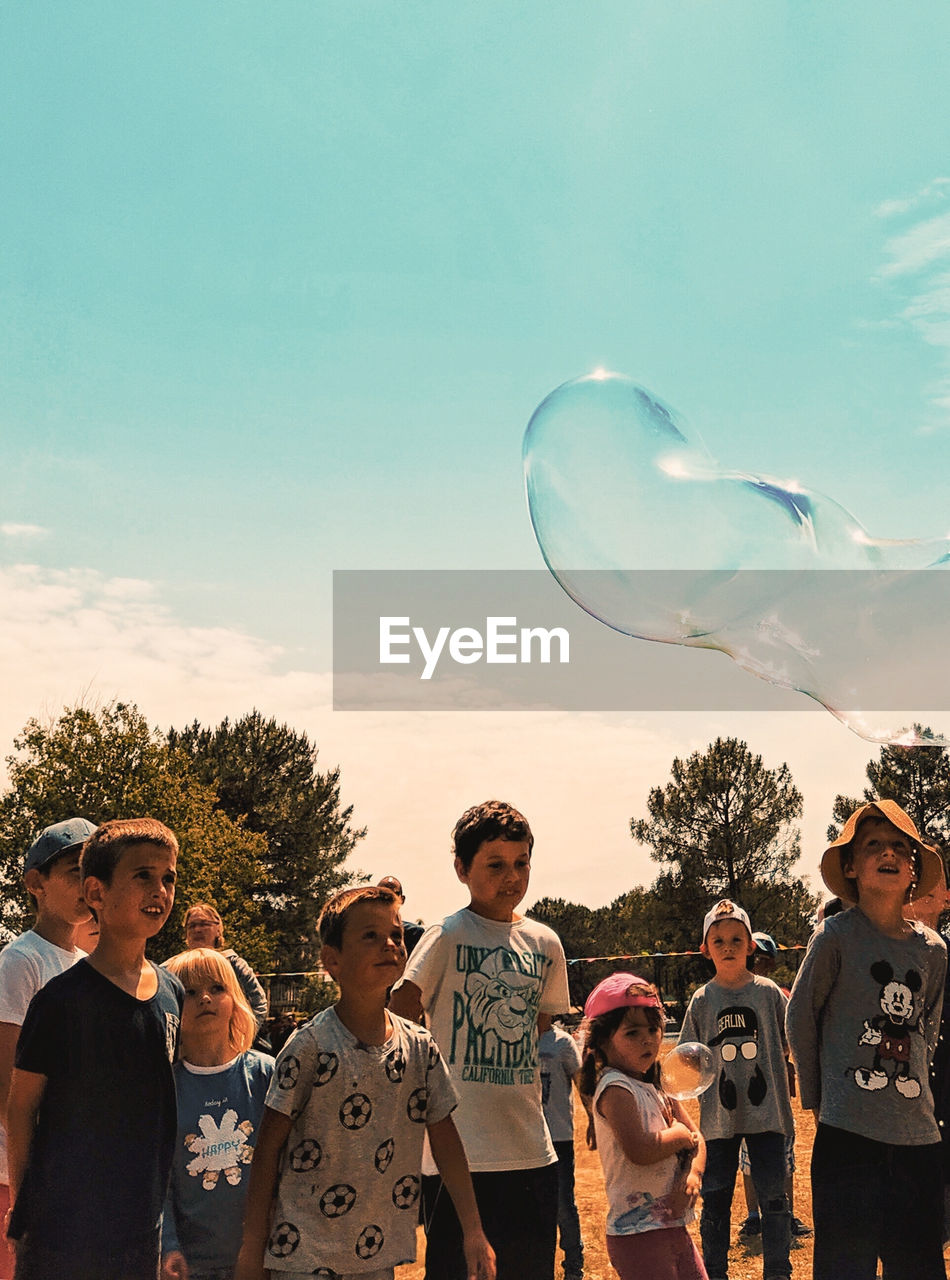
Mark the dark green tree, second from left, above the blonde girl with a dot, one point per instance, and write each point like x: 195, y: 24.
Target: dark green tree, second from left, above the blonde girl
x: 266, y: 778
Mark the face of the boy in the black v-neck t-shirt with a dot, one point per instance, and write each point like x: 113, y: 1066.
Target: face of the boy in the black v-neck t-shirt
x: 141, y: 897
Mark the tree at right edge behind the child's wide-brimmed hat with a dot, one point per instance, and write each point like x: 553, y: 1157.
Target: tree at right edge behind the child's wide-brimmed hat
x: 919, y: 779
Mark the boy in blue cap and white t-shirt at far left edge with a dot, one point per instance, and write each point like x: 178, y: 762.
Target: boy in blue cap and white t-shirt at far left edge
x: 52, y: 877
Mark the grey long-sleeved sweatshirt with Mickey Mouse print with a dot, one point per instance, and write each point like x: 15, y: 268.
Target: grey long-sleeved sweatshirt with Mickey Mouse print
x: 864, y: 1021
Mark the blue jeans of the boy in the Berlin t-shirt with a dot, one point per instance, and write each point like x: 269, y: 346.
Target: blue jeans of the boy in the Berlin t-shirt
x: 768, y: 1164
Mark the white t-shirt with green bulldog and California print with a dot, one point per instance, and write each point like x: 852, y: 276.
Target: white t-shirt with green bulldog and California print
x: 483, y: 985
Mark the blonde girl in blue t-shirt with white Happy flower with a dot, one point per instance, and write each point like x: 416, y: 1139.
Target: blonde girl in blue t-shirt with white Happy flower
x: 222, y: 1084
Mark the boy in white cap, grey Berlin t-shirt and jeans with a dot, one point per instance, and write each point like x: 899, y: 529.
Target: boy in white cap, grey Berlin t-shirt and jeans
x: 742, y: 1018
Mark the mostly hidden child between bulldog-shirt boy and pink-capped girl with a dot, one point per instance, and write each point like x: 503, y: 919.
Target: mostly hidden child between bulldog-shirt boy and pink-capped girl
x: 560, y: 1064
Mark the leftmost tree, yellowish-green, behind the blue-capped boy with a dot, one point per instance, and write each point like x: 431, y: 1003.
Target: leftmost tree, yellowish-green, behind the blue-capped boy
x: 108, y: 764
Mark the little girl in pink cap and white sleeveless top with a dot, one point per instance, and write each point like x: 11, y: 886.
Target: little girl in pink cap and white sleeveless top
x: 652, y: 1156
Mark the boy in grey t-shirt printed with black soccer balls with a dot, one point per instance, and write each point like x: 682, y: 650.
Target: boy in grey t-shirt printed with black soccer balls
x: 340, y: 1148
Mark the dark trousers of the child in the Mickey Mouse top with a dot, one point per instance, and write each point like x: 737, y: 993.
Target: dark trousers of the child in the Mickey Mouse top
x: 873, y: 1201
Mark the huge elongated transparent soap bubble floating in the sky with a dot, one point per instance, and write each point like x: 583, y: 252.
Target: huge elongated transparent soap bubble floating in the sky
x: 615, y: 490
